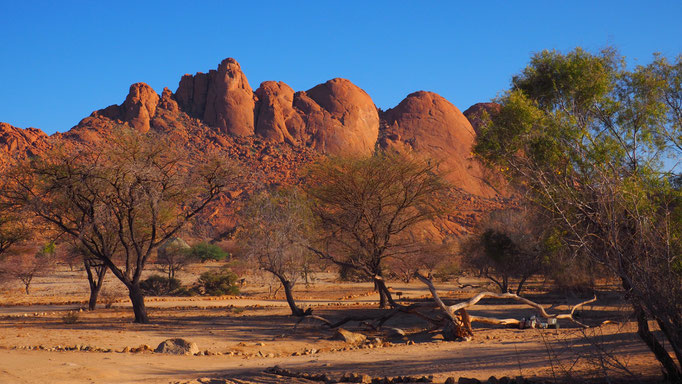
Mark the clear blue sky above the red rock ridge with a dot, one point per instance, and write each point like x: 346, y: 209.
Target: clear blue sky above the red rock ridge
x: 60, y: 60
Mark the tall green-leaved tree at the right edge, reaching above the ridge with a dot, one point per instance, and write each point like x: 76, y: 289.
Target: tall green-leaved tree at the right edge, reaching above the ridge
x: 586, y: 139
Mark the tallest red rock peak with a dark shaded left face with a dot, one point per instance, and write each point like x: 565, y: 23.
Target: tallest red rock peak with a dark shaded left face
x: 222, y: 98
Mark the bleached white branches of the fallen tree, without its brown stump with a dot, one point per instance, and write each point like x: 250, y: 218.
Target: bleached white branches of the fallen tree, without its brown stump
x: 450, y: 310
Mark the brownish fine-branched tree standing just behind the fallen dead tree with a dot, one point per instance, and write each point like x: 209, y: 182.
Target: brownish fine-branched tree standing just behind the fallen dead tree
x: 367, y: 208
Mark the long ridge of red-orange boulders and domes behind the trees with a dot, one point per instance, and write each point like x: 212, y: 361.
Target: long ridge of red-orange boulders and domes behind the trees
x: 275, y: 131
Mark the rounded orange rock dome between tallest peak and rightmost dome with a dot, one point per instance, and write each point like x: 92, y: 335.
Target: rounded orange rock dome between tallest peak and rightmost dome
x: 341, y: 118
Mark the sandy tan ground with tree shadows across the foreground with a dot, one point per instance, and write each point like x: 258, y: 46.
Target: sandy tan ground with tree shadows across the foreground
x: 243, y: 336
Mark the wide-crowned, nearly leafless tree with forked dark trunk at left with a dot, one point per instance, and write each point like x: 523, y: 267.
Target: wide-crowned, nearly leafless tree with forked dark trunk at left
x: 121, y: 200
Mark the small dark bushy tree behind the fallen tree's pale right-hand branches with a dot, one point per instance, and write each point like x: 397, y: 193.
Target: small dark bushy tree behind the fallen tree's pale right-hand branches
x: 508, y: 244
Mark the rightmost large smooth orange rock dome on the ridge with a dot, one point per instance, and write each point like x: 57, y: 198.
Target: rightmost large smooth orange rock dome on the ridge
x: 426, y: 124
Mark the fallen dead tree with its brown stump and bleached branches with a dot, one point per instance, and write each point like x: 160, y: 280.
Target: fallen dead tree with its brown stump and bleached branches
x: 458, y: 325
